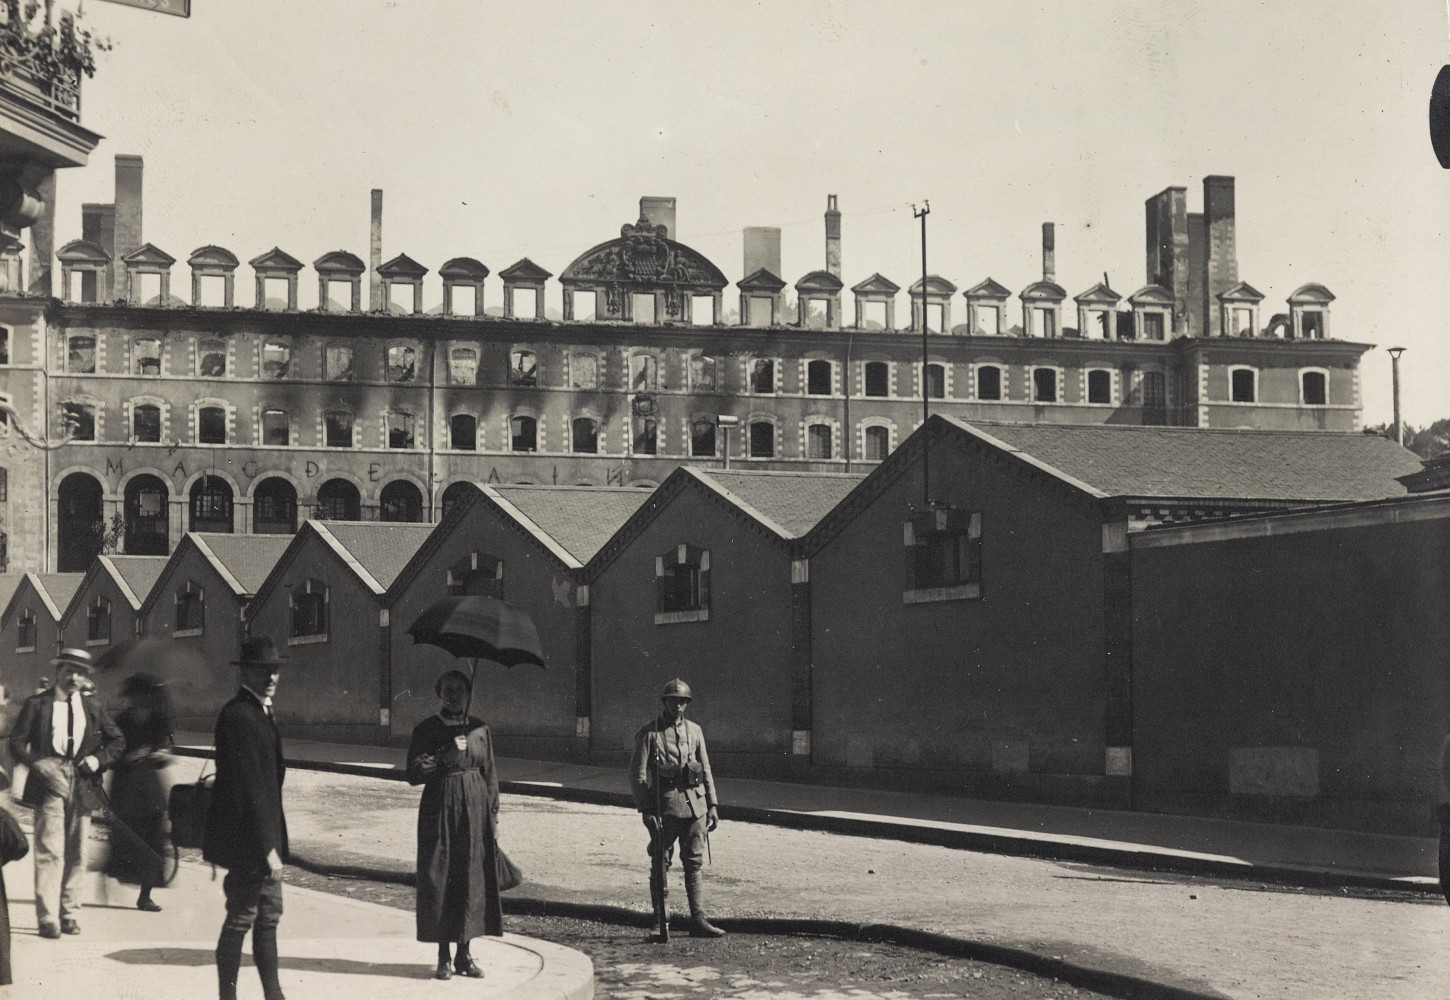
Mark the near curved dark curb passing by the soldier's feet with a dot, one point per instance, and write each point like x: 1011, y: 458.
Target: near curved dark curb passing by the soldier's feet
x: 1116, y: 985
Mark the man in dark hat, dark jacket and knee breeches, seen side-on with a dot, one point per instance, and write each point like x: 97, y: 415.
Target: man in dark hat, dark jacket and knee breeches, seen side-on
x: 246, y: 828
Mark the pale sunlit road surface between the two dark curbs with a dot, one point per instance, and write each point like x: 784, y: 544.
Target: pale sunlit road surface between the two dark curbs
x: 1233, y: 940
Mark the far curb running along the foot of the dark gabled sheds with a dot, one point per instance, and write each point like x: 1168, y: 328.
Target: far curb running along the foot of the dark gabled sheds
x: 1023, y: 847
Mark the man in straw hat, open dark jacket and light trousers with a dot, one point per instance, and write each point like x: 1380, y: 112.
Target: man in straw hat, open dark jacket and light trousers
x: 66, y: 741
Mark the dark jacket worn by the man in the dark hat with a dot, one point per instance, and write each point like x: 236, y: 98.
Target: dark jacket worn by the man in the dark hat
x: 246, y: 821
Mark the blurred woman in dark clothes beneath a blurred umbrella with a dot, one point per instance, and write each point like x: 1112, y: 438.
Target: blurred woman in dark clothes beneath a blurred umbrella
x: 138, y: 793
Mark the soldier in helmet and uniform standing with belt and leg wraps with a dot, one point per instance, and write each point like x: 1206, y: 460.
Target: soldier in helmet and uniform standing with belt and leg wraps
x: 675, y: 792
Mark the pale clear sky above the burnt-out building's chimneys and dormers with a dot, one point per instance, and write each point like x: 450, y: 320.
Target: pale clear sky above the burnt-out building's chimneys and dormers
x: 502, y: 131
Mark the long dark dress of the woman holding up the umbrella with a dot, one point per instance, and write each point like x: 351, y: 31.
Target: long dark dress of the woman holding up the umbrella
x: 457, y: 867
